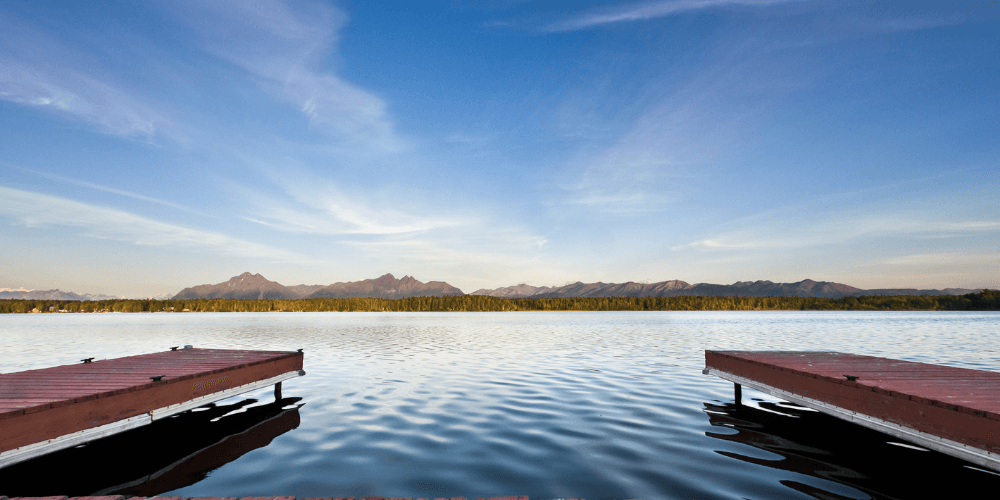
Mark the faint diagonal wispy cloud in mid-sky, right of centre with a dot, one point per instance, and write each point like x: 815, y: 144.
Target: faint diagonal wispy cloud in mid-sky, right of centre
x: 680, y: 135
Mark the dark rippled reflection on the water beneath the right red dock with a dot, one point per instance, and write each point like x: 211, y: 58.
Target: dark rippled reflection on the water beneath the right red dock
x: 818, y: 445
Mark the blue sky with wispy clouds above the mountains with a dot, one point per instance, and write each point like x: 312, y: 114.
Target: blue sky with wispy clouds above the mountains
x: 150, y: 146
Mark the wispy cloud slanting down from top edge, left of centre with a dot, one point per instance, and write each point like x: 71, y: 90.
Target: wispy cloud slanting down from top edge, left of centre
x: 284, y: 47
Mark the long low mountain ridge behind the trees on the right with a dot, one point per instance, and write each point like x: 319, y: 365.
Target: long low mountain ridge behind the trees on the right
x: 675, y: 288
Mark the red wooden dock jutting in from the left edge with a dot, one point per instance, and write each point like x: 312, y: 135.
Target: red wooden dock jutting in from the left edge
x: 45, y: 410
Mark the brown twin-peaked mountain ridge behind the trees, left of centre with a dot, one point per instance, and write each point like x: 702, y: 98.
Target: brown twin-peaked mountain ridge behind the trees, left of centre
x: 254, y: 287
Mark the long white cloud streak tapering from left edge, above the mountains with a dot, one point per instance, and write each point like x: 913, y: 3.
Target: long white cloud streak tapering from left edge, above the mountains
x: 39, y: 210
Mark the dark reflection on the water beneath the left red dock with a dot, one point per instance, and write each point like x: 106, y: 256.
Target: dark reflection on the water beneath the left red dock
x: 166, y: 455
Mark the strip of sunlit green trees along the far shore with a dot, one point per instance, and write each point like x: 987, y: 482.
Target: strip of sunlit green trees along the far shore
x: 987, y: 300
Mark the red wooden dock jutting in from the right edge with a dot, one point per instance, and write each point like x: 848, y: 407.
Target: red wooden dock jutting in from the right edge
x: 952, y: 410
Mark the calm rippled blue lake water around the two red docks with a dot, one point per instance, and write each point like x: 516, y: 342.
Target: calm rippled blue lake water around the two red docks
x: 563, y: 404
